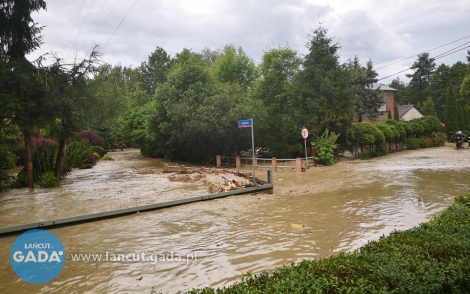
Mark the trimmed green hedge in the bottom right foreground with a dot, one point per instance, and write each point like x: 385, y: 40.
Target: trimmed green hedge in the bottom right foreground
x: 431, y: 258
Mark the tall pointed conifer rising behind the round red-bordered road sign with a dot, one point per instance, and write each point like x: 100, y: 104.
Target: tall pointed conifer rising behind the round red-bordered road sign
x: 326, y: 98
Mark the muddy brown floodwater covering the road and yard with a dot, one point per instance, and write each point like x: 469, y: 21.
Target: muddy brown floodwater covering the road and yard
x: 315, y: 214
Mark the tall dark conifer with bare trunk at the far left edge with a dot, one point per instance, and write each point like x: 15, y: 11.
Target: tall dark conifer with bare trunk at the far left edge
x: 23, y: 87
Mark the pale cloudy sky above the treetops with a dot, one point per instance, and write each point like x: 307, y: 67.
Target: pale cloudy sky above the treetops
x: 386, y: 32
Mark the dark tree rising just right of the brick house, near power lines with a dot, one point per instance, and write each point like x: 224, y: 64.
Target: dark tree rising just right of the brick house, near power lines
x: 420, y: 79
